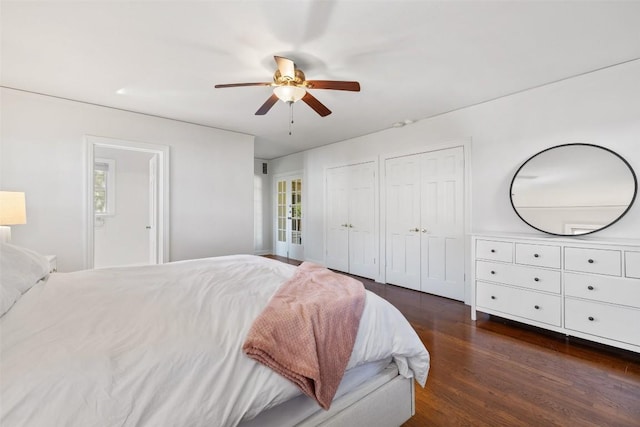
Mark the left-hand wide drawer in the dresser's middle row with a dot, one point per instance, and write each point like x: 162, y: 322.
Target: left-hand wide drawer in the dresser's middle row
x: 516, y: 275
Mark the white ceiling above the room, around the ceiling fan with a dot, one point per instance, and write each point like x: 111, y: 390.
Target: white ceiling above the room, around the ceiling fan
x: 413, y: 59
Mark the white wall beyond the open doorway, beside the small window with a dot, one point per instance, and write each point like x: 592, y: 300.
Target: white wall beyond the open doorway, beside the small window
x: 122, y: 238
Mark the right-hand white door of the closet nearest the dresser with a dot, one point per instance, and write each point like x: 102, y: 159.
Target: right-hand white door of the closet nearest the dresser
x: 442, y: 223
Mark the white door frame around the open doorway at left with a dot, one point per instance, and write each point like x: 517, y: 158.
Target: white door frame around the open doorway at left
x: 162, y: 180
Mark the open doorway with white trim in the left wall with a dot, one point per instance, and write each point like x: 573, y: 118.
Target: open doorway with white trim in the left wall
x: 127, y: 203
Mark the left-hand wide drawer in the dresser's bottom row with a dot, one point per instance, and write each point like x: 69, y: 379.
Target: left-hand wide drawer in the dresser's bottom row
x: 544, y: 308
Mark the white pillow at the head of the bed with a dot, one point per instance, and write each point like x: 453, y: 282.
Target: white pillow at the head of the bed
x: 20, y: 269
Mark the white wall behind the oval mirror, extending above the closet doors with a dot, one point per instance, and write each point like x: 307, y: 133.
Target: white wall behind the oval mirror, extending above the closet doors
x: 600, y: 108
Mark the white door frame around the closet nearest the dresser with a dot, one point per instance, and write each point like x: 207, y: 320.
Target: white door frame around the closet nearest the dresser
x: 465, y: 143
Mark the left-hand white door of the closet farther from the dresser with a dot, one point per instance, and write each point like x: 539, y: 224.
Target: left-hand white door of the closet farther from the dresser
x: 337, y: 245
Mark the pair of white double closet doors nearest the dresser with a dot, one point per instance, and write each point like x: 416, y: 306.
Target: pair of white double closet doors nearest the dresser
x: 425, y: 222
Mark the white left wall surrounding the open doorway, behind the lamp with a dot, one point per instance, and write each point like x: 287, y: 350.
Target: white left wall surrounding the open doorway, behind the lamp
x: 42, y: 154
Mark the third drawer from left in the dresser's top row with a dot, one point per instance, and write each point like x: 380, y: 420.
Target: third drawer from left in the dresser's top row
x: 599, y: 261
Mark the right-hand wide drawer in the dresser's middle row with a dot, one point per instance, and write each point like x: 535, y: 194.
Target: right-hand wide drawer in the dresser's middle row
x: 602, y: 288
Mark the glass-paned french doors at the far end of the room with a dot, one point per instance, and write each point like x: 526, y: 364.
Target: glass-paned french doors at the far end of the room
x: 288, y: 225
